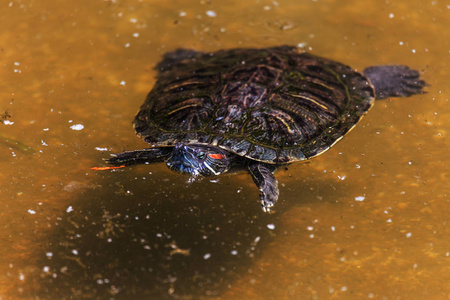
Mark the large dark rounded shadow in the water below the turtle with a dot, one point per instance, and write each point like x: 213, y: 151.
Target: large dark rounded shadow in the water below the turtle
x: 139, y: 237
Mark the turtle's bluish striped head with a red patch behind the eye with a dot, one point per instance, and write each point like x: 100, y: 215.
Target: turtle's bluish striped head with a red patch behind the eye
x: 199, y: 160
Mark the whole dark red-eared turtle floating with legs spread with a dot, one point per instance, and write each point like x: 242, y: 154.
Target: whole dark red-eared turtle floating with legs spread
x: 255, y: 109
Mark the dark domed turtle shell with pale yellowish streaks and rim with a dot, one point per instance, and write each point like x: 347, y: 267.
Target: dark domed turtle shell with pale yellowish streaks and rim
x: 274, y: 105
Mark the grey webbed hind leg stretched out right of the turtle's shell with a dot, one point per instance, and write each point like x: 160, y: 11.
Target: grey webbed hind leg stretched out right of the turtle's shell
x: 394, y: 81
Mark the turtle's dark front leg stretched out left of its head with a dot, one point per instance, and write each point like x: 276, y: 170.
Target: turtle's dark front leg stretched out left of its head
x: 129, y: 158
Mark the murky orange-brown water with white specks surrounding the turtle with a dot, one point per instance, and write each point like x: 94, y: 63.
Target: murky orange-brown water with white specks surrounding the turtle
x: 144, y: 232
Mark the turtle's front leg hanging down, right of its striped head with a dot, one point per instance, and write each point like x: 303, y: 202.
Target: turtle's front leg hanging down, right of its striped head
x: 267, y: 183
